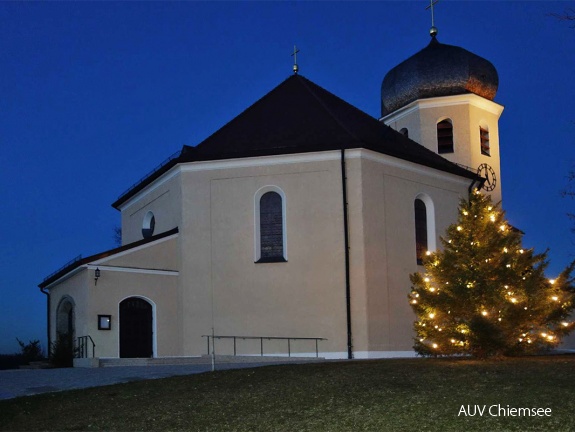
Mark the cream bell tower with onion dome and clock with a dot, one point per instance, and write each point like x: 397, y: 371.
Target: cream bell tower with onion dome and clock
x: 442, y: 98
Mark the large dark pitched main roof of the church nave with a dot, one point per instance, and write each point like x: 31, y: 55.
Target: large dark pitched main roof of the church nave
x: 299, y: 116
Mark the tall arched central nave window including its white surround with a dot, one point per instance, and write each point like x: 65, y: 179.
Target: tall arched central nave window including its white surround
x: 270, y: 229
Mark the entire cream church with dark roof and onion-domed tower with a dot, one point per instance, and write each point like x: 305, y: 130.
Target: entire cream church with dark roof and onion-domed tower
x: 293, y: 229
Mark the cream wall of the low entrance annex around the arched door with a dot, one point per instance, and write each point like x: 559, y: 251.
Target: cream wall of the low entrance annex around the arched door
x: 120, y: 278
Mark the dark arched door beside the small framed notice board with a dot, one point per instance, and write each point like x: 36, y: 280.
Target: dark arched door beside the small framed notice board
x: 136, y: 333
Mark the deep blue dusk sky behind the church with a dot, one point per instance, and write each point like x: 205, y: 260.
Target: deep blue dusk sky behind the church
x: 94, y: 95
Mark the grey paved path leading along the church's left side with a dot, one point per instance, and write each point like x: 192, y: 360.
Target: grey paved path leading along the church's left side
x: 26, y: 382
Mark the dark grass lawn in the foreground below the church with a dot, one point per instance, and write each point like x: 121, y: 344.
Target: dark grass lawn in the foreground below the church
x: 375, y: 395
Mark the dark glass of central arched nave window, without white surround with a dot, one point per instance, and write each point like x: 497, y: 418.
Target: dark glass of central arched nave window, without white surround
x: 271, y: 227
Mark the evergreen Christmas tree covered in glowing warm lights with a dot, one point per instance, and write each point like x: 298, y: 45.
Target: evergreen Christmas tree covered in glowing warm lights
x: 485, y: 295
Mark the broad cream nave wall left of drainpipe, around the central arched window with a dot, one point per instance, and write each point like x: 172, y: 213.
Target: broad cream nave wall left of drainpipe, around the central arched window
x: 304, y: 297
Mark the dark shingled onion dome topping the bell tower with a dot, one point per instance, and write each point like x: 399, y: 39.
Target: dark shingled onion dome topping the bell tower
x: 437, y: 70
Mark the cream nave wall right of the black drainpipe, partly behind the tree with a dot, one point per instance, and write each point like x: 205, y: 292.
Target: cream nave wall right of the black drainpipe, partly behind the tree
x: 389, y: 192
